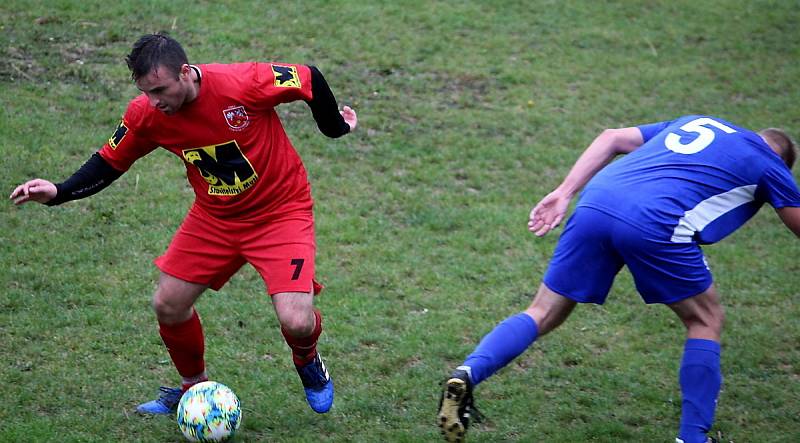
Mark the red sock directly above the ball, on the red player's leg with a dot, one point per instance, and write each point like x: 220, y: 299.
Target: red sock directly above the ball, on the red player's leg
x: 186, y: 346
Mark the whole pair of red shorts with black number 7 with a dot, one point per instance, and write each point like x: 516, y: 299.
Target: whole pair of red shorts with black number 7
x: 208, y: 251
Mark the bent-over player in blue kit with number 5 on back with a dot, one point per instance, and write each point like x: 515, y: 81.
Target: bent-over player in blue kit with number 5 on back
x: 683, y: 183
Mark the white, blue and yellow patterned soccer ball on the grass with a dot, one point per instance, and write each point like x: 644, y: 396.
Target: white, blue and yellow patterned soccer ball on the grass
x: 209, y: 412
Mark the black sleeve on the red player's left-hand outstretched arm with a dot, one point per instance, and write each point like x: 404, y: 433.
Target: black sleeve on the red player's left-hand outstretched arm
x: 94, y: 176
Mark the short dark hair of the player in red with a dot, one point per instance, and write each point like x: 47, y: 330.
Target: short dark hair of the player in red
x: 153, y: 50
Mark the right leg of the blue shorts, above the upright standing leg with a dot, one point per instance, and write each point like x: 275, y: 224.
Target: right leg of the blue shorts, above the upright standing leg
x: 663, y: 271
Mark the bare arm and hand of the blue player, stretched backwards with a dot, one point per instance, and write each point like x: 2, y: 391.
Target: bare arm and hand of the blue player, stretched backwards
x: 549, y: 212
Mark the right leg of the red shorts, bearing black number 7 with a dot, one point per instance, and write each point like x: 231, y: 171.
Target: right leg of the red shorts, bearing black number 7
x: 283, y: 252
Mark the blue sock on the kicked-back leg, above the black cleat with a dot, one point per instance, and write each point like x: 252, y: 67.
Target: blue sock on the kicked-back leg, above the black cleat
x: 506, y: 341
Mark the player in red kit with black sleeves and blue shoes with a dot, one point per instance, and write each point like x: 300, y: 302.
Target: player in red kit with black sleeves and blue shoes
x: 253, y: 202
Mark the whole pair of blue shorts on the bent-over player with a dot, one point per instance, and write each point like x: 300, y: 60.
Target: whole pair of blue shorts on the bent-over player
x: 594, y: 246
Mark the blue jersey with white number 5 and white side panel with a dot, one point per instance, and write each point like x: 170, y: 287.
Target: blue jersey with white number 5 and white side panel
x: 697, y: 178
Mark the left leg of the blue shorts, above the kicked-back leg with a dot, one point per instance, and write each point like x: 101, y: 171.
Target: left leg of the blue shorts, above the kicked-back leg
x: 584, y: 262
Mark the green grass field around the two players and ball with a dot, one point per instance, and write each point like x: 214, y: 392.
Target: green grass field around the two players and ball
x: 469, y: 112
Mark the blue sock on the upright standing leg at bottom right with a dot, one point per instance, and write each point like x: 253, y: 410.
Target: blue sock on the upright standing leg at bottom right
x: 700, y: 379
